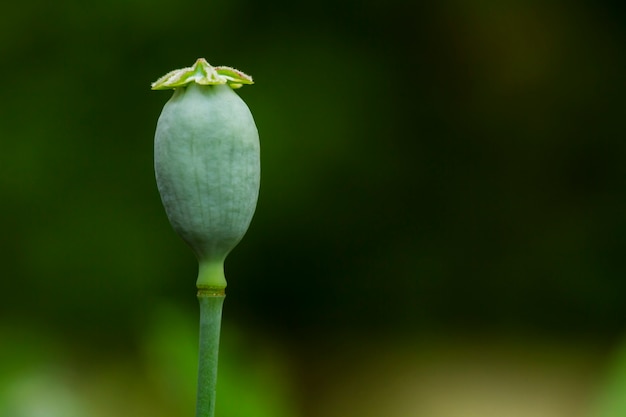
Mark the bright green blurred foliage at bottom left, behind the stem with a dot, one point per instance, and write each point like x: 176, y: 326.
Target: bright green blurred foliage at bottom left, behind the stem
x: 44, y: 378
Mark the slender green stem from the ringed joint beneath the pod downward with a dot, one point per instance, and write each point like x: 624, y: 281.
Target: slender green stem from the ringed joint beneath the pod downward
x: 211, y: 301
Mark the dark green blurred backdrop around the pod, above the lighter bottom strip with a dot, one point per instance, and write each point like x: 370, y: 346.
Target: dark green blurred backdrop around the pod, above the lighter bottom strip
x: 446, y: 167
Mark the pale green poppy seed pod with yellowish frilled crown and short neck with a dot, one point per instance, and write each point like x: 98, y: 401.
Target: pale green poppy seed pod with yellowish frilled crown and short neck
x: 207, y: 163
